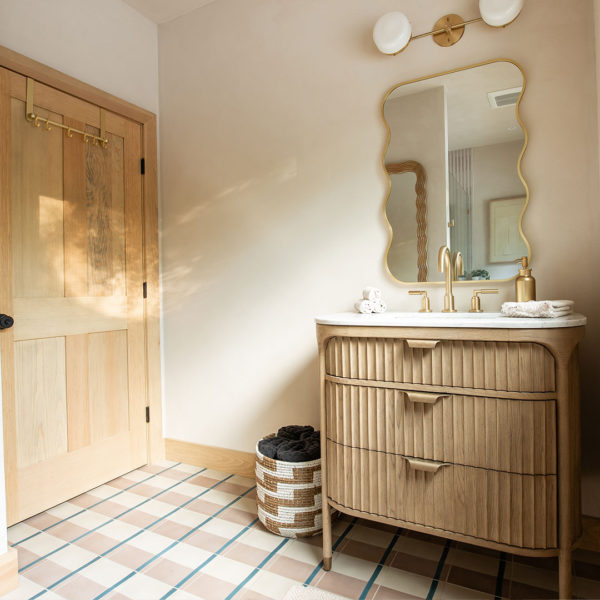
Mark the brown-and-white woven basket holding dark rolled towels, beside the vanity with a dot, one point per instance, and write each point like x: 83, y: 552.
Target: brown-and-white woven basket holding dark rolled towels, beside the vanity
x: 289, y: 496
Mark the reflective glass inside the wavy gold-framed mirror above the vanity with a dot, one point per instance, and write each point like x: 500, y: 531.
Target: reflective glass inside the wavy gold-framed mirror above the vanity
x: 453, y: 160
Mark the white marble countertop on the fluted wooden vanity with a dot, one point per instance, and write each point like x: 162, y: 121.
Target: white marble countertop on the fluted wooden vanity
x: 466, y: 319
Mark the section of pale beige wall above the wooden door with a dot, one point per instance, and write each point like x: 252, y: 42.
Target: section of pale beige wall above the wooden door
x: 105, y: 43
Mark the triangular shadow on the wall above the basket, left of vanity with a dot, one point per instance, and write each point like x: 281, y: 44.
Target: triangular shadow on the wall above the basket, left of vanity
x: 284, y: 408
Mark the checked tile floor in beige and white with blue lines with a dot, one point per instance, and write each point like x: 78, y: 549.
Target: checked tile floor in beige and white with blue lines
x: 212, y: 547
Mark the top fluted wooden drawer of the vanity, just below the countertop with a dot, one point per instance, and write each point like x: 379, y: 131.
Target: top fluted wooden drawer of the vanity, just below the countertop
x: 506, y: 366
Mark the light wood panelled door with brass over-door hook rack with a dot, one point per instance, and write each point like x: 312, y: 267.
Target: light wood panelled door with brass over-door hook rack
x: 73, y: 365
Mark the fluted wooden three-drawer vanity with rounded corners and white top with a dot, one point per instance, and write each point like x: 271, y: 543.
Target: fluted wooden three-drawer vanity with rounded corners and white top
x: 470, y: 432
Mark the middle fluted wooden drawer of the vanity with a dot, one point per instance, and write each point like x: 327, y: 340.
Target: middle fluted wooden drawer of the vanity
x: 517, y: 436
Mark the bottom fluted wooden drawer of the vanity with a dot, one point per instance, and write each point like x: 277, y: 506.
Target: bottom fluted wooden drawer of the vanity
x: 519, y: 510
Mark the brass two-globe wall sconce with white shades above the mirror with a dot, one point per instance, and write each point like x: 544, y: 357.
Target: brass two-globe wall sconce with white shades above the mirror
x: 392, y: 32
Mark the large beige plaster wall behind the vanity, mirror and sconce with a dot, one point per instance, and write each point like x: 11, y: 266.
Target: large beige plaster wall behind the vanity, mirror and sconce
x: 273, y: 191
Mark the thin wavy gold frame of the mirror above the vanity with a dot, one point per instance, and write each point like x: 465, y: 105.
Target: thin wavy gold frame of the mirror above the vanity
x: 519, y: 172
